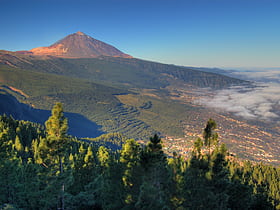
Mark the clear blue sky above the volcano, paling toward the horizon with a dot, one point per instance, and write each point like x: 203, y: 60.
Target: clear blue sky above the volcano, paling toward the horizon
x: 210, y: 33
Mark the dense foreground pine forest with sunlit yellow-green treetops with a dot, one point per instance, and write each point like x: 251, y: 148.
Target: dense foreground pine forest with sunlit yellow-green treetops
x: 42, y: 167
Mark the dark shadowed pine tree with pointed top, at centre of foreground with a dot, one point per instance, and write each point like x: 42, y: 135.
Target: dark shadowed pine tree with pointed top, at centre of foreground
x: 154, y: 191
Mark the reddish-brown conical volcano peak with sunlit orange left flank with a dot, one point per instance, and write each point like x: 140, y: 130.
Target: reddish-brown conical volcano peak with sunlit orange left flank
x: 79, y: 45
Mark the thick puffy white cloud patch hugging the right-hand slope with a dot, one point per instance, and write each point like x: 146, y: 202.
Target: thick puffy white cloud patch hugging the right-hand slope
x: 262, y: 102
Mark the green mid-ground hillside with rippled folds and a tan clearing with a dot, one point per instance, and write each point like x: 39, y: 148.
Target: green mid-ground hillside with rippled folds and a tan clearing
x: 135, y: 114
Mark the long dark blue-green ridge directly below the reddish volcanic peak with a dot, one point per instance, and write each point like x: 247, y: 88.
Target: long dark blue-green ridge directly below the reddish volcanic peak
x: 130, y: 72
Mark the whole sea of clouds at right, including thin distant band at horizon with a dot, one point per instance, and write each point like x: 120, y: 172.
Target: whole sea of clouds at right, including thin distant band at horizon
x: 260, y: 101
